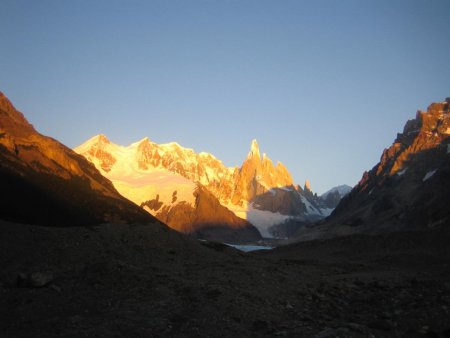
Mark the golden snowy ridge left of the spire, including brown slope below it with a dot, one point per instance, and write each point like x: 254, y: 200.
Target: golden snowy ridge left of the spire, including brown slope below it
x: 168, y: 180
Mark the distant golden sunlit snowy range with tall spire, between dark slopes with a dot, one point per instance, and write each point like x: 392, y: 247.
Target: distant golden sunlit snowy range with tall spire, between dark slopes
x: 195, y: 193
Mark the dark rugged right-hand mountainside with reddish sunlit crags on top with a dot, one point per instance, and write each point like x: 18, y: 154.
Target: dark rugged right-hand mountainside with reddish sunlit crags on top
x: 410, y: 186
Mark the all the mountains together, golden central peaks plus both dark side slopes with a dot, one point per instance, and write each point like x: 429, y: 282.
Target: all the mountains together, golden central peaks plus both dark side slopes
x: 195, y: 193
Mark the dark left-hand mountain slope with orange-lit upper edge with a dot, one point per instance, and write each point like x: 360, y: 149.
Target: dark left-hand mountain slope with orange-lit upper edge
x: 45, y: 182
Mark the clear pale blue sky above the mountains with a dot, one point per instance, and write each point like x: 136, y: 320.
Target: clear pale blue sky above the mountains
x: 324, y: 86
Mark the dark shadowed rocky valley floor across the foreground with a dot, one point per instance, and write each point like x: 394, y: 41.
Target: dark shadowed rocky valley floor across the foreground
x: 148, y: 281
